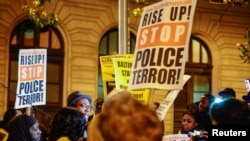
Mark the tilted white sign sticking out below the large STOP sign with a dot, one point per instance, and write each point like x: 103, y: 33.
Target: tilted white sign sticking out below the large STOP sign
x: 169, y: 100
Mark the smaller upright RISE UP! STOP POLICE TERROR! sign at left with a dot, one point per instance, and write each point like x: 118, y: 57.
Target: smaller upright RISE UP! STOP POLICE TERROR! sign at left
x: 31, y: 87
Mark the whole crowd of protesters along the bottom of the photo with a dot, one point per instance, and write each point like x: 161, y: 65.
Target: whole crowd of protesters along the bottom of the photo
x: 121, y: 117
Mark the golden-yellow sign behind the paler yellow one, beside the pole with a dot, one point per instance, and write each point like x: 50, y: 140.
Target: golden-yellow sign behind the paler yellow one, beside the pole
x: 108, y: 74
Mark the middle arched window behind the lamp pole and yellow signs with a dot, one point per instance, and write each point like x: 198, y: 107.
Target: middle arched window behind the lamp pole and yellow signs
x: 109, y: 46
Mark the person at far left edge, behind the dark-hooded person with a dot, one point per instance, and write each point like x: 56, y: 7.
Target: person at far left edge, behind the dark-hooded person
x: 9, y: 114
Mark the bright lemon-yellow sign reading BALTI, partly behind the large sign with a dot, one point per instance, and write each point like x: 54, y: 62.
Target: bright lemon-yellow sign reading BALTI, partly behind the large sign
x: 122, y: 69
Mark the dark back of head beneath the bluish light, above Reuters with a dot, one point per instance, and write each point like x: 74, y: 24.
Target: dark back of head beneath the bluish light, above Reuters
x: 230, y: 112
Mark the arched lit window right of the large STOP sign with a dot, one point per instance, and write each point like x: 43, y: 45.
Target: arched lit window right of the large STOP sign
x: 199, y: 57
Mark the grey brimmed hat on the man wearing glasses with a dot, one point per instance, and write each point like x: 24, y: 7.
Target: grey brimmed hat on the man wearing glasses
x: 74, y: 97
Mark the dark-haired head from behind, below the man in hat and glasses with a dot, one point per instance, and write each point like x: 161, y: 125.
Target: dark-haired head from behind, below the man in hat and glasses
x: 69, y: 123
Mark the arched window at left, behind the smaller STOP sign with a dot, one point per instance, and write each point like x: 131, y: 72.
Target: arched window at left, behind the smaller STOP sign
x: 26, y: 35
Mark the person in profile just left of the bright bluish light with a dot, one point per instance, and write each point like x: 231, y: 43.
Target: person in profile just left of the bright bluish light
x: 205, y: 102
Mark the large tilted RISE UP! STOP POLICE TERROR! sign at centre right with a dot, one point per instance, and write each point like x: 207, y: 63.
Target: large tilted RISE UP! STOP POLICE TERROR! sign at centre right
x: 162, y: 45
